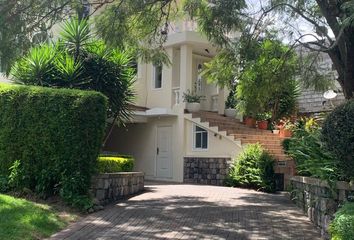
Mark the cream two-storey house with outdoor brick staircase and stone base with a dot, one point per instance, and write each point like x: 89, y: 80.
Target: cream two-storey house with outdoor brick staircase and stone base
x: 170, y: 144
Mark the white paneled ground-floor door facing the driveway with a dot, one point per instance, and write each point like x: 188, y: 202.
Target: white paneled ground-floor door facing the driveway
x: 164, y: 152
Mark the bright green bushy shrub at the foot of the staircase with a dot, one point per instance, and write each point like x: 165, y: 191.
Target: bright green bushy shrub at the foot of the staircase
x: 253, y: 169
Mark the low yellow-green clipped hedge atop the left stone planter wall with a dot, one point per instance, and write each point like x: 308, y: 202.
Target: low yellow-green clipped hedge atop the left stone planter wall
x: 110, y: 164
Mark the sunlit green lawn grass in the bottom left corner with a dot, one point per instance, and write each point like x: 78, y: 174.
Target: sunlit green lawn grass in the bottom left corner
x: 25, y: 220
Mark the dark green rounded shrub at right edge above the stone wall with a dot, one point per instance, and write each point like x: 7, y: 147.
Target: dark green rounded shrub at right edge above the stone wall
x: 338, y: 136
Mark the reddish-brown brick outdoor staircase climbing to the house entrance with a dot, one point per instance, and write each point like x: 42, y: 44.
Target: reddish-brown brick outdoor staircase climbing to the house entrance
x: 233, y: 127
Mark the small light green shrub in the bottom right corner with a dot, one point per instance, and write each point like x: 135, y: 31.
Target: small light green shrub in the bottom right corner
x: 342, y: 227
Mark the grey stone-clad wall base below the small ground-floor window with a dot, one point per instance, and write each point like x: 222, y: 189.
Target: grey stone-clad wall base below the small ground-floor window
x: 211, y: 171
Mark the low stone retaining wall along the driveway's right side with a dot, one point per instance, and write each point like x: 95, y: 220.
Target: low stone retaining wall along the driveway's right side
x: 318, y: 201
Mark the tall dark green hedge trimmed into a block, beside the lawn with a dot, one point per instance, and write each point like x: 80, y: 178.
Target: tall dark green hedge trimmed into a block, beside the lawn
x: 55, y: 134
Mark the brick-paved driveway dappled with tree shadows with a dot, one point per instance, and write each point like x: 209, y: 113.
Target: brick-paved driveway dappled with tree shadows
x: 182, y: 211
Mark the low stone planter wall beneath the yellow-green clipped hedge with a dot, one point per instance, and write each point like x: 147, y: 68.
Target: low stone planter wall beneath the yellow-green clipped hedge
x: 109, y: 187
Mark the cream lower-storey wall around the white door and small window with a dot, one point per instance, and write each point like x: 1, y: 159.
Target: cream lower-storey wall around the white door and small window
x: 140, y: 140
